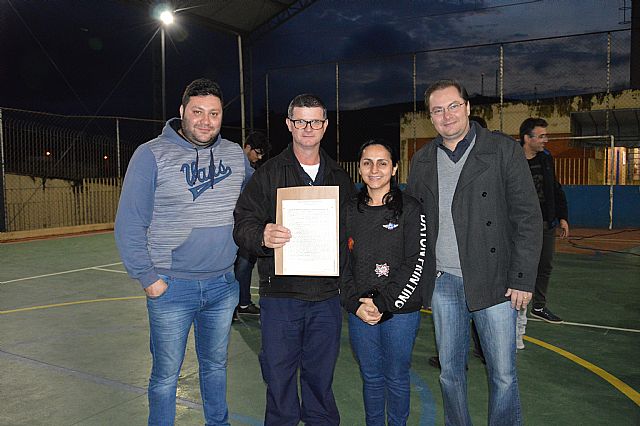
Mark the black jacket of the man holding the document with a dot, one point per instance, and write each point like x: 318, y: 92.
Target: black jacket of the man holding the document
x: 257, y: 206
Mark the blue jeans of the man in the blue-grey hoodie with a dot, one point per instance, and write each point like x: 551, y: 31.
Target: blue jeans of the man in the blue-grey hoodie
x: 208, y: 305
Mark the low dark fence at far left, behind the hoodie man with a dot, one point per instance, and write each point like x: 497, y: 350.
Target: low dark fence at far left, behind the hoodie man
x: 61, y: 171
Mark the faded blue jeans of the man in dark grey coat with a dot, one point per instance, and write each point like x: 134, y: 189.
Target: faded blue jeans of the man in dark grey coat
x: 496, y: 327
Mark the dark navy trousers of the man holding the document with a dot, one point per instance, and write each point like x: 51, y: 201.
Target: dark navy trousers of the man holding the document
x: 302, y: 337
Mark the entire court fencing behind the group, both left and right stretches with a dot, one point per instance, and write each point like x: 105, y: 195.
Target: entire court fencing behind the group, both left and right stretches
x: 67, y: 171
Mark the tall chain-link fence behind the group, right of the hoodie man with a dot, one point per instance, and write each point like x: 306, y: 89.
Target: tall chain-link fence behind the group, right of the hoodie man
x: 569, y: 81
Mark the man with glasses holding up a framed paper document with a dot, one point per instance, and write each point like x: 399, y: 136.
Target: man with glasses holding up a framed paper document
x: 301, y: 315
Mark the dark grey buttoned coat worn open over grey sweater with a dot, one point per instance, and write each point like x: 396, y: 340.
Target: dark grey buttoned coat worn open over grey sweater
x: 496, y: 216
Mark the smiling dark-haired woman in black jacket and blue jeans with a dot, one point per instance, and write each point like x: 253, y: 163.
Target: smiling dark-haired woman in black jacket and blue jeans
x: 380, y: 283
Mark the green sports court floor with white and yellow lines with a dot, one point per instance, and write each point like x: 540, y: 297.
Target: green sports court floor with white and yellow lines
x: 74, y: 344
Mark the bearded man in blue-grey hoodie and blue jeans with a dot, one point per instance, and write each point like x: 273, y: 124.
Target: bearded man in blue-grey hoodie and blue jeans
x: 174, y: 232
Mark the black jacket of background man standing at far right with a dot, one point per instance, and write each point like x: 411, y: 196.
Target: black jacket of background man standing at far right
x: 555, y: 202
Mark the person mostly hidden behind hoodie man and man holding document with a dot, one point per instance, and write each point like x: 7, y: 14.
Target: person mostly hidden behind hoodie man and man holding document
x: 255, y: 148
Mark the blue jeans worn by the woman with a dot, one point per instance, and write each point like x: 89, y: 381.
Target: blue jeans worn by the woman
x: 384, y: 354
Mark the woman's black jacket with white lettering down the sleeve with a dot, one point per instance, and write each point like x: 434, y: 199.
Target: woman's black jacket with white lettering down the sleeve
x: 385, y: 256
